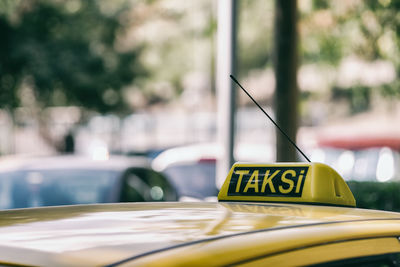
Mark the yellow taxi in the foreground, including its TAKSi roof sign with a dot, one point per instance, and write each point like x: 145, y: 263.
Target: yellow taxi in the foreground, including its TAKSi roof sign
x: 297, y: 214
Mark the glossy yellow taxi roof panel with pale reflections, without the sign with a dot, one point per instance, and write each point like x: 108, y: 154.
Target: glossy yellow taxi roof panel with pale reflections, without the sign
x: 129, y: 233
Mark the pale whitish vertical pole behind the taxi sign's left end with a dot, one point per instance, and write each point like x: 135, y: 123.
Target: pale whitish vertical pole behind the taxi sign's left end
x: 226, y: 51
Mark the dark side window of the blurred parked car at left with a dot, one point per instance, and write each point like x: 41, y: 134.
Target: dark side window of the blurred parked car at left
x: 146, y: 185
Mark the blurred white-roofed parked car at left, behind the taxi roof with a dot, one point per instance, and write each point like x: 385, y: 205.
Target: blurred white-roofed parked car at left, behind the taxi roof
x: 65, y: 180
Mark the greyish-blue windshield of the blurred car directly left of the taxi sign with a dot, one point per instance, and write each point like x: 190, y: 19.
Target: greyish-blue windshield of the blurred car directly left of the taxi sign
x: 193, y: 179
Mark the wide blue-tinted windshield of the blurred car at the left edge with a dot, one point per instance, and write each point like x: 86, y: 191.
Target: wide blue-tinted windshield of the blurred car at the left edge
x: 22, y: 189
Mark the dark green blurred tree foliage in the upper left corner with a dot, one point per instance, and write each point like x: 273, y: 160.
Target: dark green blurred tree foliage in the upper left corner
x: 65, y: 50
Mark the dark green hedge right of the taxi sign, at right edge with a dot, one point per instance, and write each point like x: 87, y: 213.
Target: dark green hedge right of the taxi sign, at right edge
x: 376, y: 195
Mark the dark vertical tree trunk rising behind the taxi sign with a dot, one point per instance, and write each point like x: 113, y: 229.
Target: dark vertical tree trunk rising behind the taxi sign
x: 285, y: 64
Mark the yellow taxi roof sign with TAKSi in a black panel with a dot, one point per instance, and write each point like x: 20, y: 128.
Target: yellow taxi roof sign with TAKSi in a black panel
x: 313, y: 183
